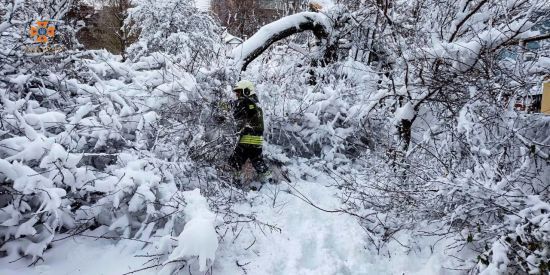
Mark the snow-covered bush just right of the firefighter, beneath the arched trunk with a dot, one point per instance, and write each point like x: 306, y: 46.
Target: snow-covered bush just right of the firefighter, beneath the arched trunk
x: 315, y: 121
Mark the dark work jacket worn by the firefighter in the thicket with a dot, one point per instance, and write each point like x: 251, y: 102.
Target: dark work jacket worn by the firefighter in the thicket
x: 249, y: 116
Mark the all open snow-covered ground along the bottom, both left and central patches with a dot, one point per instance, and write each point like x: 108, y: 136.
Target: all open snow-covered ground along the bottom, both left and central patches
x: 310, y: 241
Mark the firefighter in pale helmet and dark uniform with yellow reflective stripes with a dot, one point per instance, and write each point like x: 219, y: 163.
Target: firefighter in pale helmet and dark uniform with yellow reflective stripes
x: 250, y: 128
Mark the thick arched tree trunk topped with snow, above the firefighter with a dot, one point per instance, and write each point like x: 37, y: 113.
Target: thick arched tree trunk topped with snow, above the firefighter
x: 249, y: 50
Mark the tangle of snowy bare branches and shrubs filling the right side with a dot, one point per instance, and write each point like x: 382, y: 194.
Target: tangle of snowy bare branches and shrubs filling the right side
x: 459, y: 155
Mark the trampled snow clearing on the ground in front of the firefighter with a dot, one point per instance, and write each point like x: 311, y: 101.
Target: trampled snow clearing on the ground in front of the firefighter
x: 312, y: 241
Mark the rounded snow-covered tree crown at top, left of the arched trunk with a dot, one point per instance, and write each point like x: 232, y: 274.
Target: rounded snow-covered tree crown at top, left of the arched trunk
x: 176, y: 28
